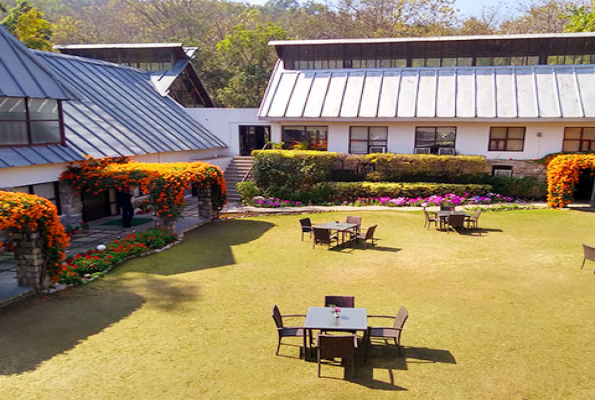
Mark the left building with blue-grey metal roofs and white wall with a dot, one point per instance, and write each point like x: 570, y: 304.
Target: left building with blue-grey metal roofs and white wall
x: 56, y: 108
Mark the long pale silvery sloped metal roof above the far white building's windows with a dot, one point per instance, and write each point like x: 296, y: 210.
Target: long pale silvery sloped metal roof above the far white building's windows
x: 508, y: 92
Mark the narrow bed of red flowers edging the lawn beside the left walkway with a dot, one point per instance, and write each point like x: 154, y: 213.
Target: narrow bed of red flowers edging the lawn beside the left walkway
x: 74, y: 269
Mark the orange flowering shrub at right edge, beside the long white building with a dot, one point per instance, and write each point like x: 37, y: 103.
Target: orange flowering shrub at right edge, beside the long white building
x: 563, y: 173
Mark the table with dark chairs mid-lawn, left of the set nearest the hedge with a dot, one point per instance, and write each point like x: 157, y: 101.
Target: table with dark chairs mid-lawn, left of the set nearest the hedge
x: 340, y: 233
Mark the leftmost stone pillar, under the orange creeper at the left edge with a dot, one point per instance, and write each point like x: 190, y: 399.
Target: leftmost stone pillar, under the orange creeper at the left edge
x: 31, y: 260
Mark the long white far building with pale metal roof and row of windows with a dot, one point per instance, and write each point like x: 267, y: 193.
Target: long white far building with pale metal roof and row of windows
x: 508, y: 98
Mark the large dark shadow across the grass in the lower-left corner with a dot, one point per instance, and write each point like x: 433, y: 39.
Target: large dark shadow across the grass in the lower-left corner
x: 44, y: 327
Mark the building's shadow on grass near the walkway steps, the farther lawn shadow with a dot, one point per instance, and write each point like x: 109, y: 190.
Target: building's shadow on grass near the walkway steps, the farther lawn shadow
x: 203, y: 248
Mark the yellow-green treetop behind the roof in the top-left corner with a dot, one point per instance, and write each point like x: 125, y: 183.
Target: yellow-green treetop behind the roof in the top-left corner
x: 27, y: 23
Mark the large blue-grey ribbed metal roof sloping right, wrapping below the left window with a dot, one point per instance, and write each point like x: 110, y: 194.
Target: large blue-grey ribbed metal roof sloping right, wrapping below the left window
x: 120, y: 114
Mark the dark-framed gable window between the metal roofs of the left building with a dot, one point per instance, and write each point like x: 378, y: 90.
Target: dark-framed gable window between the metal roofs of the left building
x: 30, y: 121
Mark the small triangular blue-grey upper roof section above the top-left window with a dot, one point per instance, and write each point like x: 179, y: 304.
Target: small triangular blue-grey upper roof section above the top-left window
x: 22, y: 75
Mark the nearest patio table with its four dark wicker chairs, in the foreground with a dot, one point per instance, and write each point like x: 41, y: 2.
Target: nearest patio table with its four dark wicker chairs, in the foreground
x: 339, y: 316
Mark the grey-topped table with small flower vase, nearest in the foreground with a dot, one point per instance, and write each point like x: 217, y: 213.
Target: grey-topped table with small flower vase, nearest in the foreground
x: 323, y: 318
